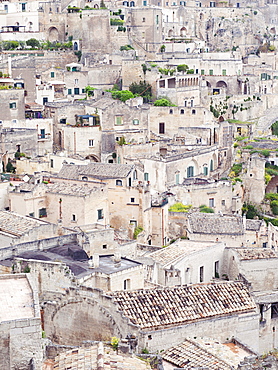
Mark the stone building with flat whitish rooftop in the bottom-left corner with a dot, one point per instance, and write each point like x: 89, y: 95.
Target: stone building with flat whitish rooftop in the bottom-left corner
x: 20, y: 324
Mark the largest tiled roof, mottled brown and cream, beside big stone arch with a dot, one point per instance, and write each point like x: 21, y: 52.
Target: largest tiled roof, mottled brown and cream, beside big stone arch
x: 155, y: 308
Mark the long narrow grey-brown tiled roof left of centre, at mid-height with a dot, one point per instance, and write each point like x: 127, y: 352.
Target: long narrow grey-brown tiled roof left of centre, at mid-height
x: 96, y: 170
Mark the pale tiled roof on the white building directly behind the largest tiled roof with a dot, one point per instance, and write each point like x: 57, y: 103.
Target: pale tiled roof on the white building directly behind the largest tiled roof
x: 178, y: 250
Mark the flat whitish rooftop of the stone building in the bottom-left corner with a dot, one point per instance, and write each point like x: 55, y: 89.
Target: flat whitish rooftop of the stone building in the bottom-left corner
x: 16, y: 298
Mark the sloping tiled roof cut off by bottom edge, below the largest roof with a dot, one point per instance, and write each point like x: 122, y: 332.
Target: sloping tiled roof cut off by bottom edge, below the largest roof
x: 189, y: 355
